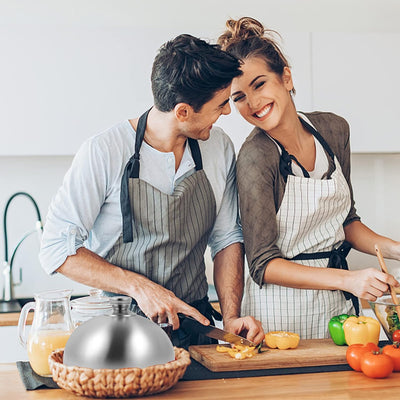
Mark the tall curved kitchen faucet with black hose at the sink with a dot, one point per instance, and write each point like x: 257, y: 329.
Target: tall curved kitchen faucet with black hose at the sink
x: 8, y: 302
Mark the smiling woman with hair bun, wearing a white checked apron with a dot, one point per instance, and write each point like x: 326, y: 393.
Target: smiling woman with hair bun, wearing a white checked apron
x: 296, y: 200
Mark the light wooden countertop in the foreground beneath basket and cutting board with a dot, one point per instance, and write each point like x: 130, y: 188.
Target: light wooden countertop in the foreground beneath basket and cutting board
x: 326, y: 385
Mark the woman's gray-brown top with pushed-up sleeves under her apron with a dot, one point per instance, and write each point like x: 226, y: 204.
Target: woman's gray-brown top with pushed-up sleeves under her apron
x: 261, y: 187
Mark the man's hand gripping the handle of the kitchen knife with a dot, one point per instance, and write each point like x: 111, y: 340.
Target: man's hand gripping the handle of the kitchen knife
x: 161, y: 305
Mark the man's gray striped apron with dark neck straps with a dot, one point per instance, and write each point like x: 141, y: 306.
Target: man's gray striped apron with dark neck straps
x: 164, y: 236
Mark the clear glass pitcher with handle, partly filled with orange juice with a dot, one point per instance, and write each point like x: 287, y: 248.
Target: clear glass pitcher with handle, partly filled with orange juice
x: 51, y: 327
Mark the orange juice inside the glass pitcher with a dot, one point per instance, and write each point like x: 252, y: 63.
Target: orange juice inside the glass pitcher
x: 41, y: 344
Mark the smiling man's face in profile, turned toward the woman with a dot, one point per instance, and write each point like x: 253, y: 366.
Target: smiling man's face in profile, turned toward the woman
x: 200, y: 123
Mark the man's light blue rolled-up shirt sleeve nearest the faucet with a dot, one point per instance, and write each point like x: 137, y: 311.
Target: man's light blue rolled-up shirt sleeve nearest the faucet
x: 74, y: 208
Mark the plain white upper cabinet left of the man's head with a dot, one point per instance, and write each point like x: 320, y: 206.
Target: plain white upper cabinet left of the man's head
x: 63, y: 84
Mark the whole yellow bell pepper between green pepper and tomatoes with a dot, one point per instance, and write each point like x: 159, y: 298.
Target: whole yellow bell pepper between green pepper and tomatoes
x: 361, y: 330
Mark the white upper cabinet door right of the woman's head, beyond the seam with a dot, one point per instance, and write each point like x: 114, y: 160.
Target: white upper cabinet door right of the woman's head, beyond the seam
x: 356, y: 76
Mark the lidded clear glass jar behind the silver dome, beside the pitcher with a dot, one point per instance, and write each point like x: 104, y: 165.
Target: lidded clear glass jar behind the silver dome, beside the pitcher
x: 94, y: 305
